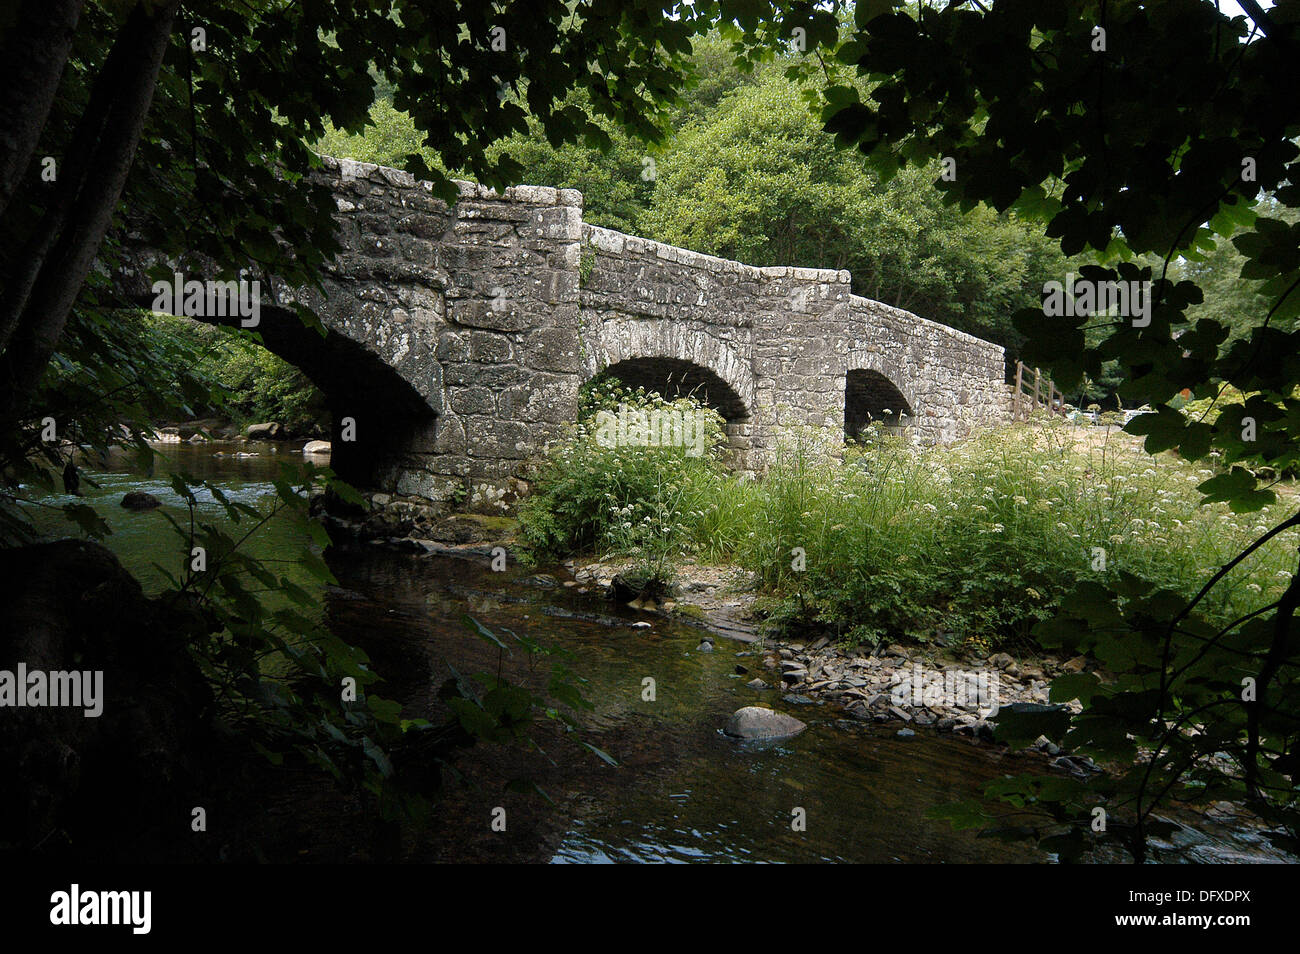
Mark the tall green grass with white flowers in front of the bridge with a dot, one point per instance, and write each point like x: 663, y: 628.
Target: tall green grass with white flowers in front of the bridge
x: 968, y: 545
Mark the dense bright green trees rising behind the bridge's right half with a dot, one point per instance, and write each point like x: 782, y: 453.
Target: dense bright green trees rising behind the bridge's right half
x: 756, y: 179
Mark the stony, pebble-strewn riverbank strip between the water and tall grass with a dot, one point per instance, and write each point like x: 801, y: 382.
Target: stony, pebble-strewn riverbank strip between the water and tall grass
x: 913, y: 687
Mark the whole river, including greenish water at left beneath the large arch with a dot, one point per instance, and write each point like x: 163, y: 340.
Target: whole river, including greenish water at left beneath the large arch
x: 682, y: 792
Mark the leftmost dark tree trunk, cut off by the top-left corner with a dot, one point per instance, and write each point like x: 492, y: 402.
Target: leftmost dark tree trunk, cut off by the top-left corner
x: 32, y: 63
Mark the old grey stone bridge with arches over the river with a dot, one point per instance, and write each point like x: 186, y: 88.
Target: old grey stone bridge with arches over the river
x: 460, y: 339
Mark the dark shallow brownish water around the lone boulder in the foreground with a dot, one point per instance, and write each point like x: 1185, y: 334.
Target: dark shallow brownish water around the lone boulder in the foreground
x: 683, y: 791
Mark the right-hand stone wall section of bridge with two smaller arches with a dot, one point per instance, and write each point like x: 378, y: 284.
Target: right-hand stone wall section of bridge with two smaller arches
x: 786, y: 344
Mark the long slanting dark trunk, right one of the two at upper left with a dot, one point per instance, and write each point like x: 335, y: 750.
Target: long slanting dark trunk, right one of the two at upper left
x: 120, y: 106
